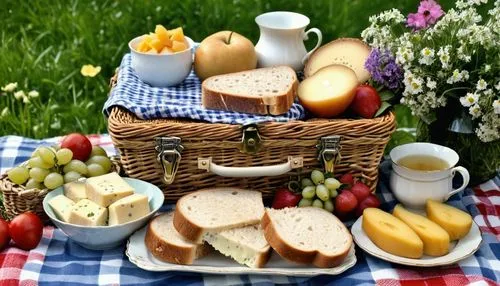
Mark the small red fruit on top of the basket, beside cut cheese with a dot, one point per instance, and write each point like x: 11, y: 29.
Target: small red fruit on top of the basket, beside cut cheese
x: 366, y: 101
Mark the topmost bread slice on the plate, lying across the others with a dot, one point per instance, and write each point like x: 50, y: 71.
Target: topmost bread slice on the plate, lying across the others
x: 217, y: 209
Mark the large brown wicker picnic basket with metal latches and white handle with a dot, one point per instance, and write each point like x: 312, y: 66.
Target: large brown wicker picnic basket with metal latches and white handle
x: 177, y: 154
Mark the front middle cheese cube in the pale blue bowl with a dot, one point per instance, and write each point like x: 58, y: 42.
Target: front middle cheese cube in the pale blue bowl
x: 86, y: 212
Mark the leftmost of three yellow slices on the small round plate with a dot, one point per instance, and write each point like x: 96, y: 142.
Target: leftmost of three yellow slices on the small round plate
x: 391, y: 234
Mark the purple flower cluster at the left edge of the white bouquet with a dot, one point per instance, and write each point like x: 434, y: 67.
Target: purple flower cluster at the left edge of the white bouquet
x: 384, y: 69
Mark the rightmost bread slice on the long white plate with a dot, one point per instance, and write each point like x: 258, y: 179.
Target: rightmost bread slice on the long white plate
x: 307, y: 235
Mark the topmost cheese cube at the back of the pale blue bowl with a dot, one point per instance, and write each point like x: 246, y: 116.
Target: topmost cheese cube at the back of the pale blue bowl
x: 107, y: 189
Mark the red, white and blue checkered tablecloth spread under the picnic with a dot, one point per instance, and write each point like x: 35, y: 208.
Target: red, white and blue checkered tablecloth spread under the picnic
x: 59, y: 260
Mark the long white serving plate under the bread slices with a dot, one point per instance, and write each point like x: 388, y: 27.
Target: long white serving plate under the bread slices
x: 216, y: 263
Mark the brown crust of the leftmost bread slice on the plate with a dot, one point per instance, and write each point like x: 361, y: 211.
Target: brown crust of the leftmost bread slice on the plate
x: 166, y: 251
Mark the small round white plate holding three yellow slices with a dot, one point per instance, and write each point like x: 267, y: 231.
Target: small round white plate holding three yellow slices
x: 461, y: 249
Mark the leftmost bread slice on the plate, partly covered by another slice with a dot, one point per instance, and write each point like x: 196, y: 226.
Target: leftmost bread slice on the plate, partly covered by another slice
x: 163, y: 241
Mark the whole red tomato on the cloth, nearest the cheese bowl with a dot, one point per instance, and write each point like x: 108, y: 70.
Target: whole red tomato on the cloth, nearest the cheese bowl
x: 26, y: 230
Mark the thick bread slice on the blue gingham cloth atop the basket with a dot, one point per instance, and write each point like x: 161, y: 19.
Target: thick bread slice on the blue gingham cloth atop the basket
x: 261, y: 91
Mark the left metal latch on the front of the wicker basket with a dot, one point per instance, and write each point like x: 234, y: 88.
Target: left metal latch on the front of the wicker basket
x: 168, y: 150
